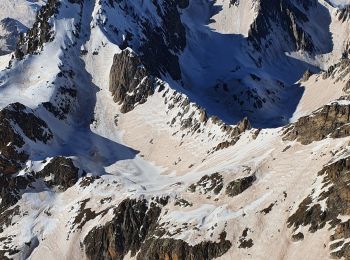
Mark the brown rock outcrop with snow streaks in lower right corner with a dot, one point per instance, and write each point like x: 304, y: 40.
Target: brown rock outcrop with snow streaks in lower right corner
x: 327, y: 206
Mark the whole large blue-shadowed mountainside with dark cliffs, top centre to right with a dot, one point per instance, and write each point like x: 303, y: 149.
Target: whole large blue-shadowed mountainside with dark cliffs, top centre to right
x: 235, y: 86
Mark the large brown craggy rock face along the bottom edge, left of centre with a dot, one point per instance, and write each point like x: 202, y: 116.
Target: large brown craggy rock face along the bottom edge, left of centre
x: 133, y: 229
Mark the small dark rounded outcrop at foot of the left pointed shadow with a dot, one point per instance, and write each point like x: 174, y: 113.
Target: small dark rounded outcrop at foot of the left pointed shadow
x: 60, y: 172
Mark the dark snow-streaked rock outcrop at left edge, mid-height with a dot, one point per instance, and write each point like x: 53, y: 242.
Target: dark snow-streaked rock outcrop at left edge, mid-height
x: 12, y: 139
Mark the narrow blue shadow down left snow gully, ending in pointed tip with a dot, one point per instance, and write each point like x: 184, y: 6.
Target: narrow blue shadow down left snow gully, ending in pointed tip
x: 74, y: 137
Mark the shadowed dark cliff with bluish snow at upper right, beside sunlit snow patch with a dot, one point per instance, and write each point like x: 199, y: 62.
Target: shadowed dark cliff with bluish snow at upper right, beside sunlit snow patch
x: 290, y: 27
